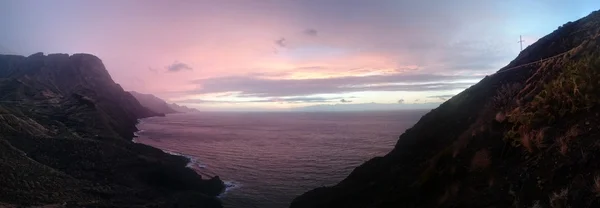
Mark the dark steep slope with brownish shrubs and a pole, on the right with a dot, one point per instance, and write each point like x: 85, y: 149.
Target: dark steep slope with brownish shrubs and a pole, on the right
x: 526, y: 136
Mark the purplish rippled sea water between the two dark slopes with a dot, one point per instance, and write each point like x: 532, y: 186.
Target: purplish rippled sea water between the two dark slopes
x: 267, y: 159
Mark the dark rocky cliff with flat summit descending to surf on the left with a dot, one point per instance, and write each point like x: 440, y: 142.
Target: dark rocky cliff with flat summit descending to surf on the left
x: 65, y: 140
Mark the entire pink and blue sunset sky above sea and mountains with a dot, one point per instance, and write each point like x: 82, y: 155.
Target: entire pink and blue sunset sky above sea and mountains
x: 282, y: 54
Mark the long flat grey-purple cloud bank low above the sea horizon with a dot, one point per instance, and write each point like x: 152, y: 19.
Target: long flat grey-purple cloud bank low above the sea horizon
x: 262, y: 87
